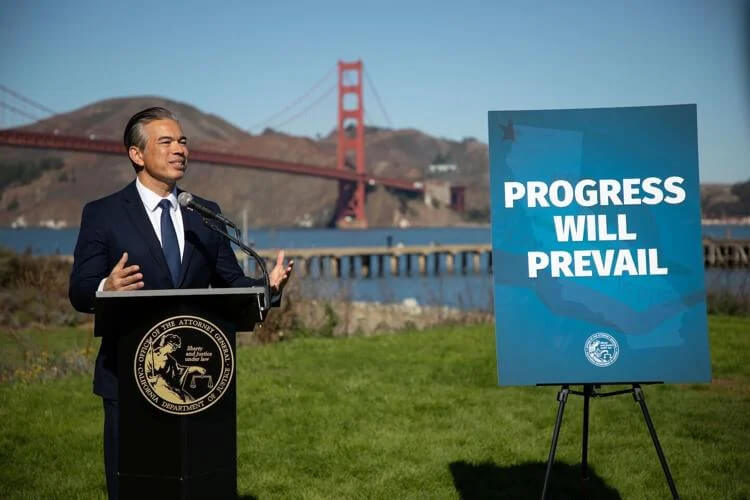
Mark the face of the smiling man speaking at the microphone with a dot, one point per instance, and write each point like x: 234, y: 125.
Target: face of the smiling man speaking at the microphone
x: 165, y: 156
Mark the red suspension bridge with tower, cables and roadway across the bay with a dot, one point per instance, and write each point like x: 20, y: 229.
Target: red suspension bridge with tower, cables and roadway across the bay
x: 350, y: 169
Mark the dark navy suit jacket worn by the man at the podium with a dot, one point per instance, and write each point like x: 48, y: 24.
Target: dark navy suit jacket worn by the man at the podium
x: 118, y: 223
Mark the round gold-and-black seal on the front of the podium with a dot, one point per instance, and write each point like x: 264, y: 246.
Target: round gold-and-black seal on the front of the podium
x: 183, y: 365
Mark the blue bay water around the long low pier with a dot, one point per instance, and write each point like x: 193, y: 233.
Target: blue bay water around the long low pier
x: 469, y: 291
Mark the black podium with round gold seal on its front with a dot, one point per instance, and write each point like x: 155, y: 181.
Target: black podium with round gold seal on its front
x: 176, y: 376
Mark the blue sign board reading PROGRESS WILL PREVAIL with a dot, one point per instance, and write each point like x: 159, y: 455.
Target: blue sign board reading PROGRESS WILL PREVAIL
x: 597, y: 255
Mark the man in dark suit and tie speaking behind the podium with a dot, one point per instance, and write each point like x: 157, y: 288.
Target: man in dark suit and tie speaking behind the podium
x: 140, y: 238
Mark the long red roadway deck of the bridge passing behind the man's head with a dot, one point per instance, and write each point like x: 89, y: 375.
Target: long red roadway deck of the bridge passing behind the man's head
x: 37, y: 140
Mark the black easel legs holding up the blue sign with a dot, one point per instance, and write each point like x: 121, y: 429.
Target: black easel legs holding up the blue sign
x: 590, y: 391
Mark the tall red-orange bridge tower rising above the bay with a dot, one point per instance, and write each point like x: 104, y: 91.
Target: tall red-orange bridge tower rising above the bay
x: 350, y: 151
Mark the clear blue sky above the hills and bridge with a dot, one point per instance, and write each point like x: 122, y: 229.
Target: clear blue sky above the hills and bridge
x: 437, y: 66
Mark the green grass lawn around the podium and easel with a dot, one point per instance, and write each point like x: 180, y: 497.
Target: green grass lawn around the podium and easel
x: 415, y: 415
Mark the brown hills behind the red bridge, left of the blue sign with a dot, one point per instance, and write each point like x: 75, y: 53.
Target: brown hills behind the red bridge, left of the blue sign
x: 40, y: 186
